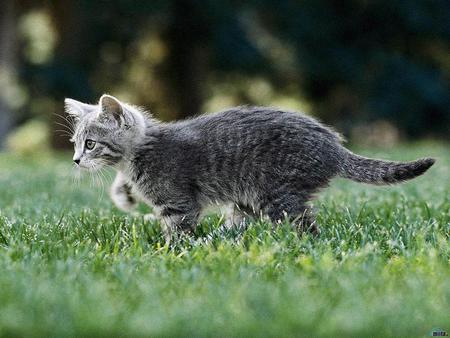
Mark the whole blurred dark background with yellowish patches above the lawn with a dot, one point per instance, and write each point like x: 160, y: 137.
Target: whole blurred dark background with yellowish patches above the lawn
x: 379, y: 71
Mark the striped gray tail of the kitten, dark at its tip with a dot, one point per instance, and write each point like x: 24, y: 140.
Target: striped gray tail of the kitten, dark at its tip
x: 367, y: 170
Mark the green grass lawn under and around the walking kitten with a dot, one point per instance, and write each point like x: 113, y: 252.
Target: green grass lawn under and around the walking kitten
x: 73, y: 265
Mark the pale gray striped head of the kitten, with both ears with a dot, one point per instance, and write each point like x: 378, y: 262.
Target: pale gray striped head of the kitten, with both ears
x: 104, y: 133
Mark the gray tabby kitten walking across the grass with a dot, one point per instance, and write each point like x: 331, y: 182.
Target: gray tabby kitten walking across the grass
x: 265, y: 161
